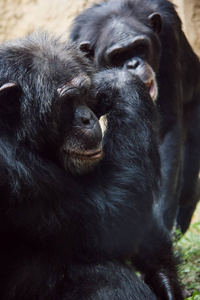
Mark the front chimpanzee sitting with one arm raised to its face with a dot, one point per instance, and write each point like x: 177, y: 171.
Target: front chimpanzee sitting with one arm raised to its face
x: 75, y: 207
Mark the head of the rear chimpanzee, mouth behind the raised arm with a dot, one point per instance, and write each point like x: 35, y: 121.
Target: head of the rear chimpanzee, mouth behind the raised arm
x: 122, y: 34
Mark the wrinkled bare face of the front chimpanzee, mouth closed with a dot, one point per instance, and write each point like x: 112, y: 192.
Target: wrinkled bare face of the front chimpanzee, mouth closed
x: 81, y: 147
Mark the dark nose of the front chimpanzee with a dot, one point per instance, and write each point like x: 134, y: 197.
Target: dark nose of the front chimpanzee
x: 84, y: 117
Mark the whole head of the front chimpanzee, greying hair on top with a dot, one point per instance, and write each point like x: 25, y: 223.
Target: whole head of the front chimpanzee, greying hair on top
x: 45, y: 102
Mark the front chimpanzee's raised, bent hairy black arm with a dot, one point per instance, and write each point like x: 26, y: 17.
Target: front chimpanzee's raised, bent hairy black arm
x: 129, y: 172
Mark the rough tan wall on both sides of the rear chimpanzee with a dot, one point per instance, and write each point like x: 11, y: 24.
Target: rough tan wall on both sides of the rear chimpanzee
x: 19, y: 17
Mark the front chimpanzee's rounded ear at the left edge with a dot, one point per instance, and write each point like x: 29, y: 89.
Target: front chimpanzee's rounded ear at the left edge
x: 9, y: 97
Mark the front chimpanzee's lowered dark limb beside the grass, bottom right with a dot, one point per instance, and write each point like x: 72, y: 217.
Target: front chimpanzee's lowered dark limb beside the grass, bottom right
x: 156, y: 261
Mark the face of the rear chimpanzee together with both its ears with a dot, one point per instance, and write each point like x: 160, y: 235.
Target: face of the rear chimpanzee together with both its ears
x: 127, y: 43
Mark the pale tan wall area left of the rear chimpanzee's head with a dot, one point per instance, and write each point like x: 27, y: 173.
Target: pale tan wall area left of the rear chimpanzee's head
x: 19, y: 17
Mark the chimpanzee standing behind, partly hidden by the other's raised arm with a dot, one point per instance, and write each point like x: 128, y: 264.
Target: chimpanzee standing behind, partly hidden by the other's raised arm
x: 145, y: 37
